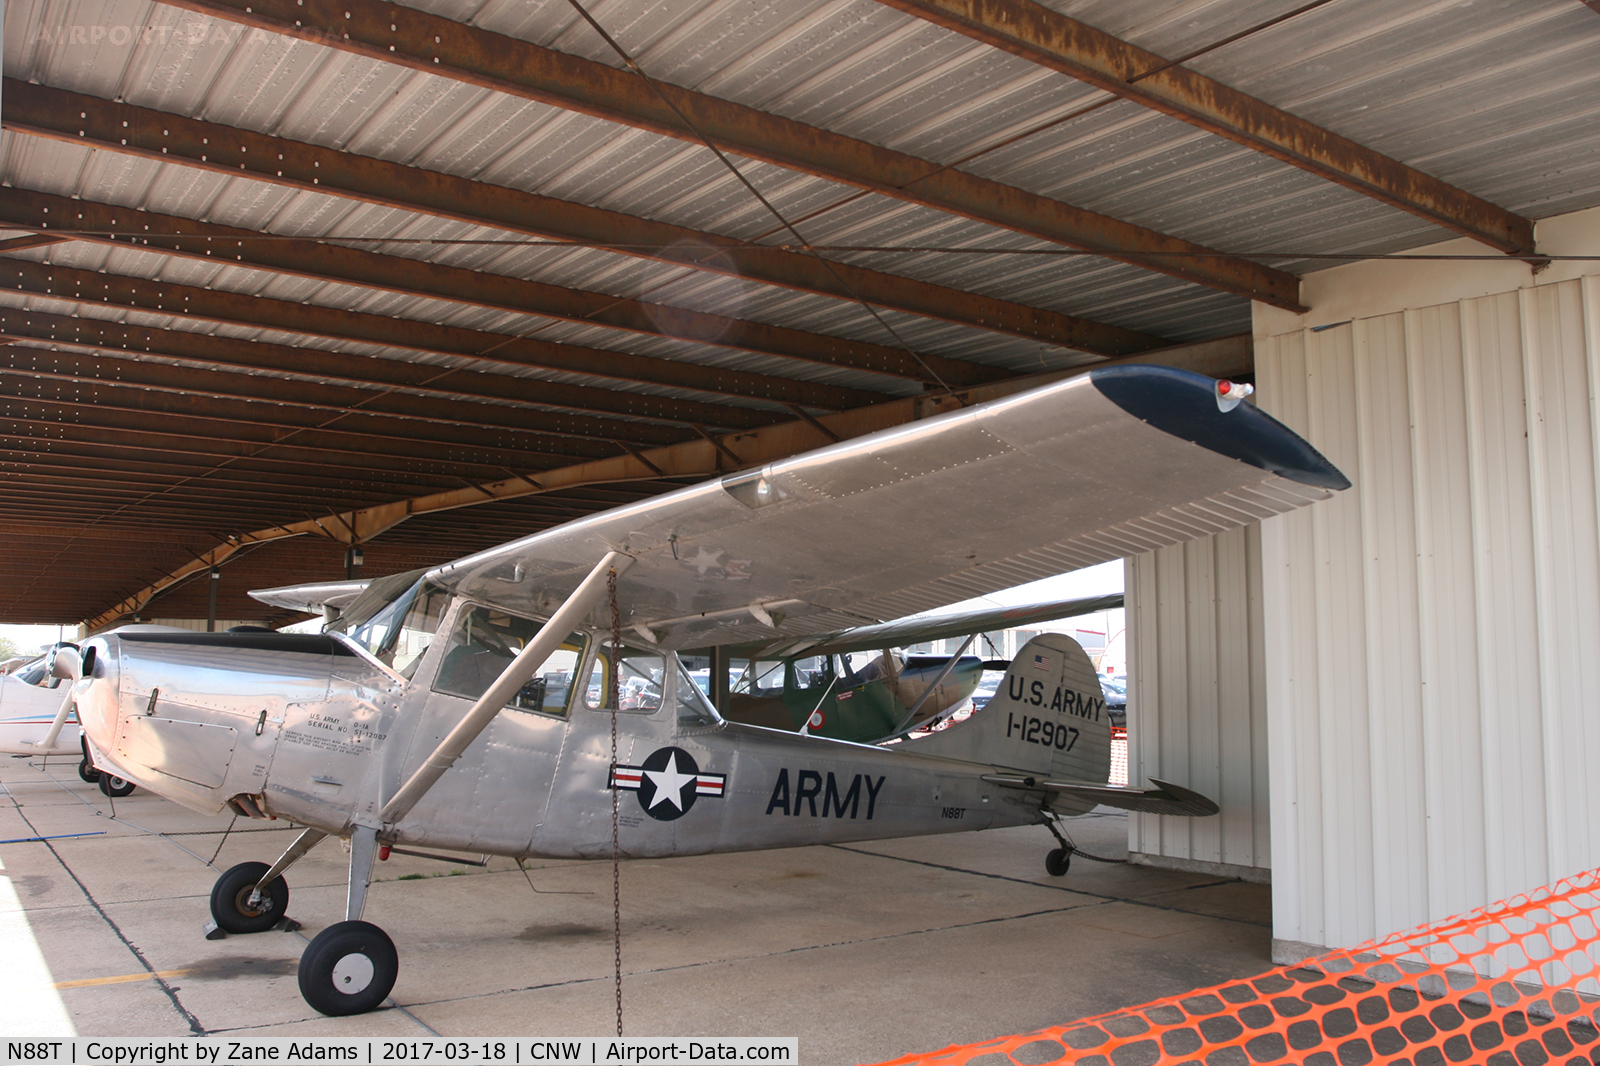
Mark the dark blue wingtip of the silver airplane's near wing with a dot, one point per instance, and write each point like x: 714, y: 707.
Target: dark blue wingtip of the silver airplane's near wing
x: 1183, y: 404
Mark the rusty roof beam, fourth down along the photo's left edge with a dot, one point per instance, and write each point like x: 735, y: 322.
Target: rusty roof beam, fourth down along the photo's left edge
x: 458, y: 391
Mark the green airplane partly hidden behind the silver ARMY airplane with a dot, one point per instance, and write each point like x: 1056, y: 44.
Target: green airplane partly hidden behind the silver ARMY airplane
x: 814, y: 686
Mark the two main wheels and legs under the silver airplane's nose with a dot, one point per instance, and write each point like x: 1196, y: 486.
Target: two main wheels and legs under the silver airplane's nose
x: 350, y: 968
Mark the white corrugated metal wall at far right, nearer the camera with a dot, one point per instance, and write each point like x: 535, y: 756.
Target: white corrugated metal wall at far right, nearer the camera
x: 1433, y: 636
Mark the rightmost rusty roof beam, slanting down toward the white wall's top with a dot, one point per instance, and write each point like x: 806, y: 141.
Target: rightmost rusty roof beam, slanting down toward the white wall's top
x: 1089, y: 55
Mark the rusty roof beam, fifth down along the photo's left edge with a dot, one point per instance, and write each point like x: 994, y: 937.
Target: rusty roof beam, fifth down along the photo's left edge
x: 290, y: 404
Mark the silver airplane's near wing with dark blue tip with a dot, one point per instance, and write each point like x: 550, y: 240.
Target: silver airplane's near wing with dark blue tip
x: 1108, y: 465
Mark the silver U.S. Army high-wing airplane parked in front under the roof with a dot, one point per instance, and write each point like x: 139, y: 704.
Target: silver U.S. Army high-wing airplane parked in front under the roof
x: 452, y: 710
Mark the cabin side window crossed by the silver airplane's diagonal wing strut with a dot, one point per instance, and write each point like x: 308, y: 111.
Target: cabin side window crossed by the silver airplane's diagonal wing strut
x: 484, y: 644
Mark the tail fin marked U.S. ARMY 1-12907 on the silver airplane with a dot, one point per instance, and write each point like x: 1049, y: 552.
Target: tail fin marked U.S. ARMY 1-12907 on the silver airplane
x: 1047, y: 719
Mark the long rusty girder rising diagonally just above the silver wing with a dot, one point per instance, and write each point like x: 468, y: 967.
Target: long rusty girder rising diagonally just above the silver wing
x: 702, y: 459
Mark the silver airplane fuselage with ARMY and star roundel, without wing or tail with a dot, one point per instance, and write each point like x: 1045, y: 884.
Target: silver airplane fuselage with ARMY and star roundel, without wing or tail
x: 316, y: 731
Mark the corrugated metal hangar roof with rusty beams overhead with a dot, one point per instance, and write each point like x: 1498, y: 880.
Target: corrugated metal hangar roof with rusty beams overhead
x: 282, y: 276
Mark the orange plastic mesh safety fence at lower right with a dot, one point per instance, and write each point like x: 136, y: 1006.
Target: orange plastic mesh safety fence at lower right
x: 1508, y: 985
